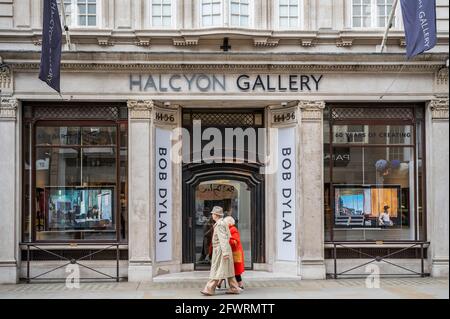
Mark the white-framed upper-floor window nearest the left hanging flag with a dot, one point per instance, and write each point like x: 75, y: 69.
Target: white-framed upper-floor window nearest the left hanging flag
x: 81, y: 13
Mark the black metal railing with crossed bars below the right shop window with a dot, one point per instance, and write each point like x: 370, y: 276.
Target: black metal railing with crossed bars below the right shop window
x: 354, y: 246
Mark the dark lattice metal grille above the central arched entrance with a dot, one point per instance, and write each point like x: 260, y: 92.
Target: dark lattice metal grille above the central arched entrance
x: 227, y: 119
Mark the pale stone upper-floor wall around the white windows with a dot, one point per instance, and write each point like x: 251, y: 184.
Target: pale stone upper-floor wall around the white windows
x: 125, y: 25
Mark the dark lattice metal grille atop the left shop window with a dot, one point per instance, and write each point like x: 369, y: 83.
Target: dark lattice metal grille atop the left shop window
x: 67, y: 111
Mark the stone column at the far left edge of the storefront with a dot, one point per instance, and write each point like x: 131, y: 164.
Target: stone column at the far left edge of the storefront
x: 9, y: 211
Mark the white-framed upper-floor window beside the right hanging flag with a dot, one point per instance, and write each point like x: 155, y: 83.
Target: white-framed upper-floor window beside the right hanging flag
x: 372, y: 13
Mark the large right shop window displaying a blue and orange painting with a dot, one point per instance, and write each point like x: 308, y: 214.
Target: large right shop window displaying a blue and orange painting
x: 373, y: 174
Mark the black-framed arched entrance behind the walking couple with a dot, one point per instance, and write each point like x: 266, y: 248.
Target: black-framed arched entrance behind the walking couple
x: 239, y: 189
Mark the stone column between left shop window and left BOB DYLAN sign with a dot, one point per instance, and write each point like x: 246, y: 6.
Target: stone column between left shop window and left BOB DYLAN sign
x: 140, y: 241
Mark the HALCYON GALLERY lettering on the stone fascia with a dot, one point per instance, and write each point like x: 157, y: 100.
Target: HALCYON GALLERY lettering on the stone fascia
x: 220, y: 83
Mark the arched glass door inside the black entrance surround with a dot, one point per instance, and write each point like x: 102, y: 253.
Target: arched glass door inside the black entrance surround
x: 235, y: 199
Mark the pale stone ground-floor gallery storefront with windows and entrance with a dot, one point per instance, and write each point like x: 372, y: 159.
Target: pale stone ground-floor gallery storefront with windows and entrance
x: 322, y: 166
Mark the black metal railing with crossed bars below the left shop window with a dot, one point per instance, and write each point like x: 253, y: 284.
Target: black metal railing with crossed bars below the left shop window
x: 71, y: 261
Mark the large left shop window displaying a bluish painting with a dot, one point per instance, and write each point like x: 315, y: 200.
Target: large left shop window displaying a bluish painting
x: 77, y: 187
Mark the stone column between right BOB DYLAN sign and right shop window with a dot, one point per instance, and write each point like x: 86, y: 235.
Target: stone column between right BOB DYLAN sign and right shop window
x: 311, y: 225
